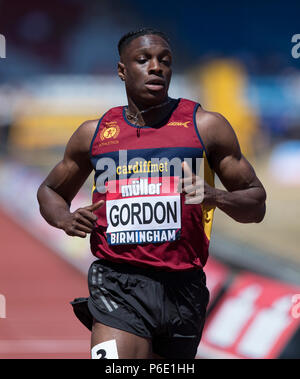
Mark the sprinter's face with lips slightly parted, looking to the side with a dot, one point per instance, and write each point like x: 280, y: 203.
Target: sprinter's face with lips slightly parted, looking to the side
x: 146, y: 69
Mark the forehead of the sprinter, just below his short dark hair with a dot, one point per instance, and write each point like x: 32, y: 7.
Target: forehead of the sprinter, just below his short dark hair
x: 150, y: 41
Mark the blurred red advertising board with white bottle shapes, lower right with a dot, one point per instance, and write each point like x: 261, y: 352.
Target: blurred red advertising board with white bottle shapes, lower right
x: 256, y: 318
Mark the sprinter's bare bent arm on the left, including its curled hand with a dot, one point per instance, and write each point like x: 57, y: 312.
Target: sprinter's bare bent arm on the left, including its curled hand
x: 62, y: 184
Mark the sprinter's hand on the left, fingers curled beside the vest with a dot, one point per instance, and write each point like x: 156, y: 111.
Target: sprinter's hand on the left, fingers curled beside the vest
x: 82, y: 221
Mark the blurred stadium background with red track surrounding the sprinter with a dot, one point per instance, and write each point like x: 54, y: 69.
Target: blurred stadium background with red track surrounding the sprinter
x: 60, y: 70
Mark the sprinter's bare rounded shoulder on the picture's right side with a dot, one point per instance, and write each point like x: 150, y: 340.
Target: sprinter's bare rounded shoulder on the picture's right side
x: 215, y: 130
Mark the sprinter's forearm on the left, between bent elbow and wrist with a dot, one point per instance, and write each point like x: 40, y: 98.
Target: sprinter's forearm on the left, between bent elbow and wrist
x: 53, y: 207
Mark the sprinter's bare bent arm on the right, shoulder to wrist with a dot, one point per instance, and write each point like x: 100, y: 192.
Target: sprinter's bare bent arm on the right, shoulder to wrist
x: 245, y: 197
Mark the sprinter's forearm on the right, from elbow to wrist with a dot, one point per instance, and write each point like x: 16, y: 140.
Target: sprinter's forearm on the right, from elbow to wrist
x: 244, y: 206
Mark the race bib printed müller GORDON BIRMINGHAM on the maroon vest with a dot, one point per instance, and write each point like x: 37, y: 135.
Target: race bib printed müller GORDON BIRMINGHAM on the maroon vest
x: 143, y: 210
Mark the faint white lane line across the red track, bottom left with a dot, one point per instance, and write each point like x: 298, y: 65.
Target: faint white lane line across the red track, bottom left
x: 44, y: 346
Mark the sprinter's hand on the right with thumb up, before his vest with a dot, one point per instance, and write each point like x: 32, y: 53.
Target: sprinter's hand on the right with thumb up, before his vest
x: 196, y: 190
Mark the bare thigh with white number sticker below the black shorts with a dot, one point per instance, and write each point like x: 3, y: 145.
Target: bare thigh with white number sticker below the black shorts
x: 128, y: 345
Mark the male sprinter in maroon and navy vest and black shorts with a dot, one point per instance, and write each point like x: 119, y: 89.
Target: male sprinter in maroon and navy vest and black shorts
x: 148, y: 295
